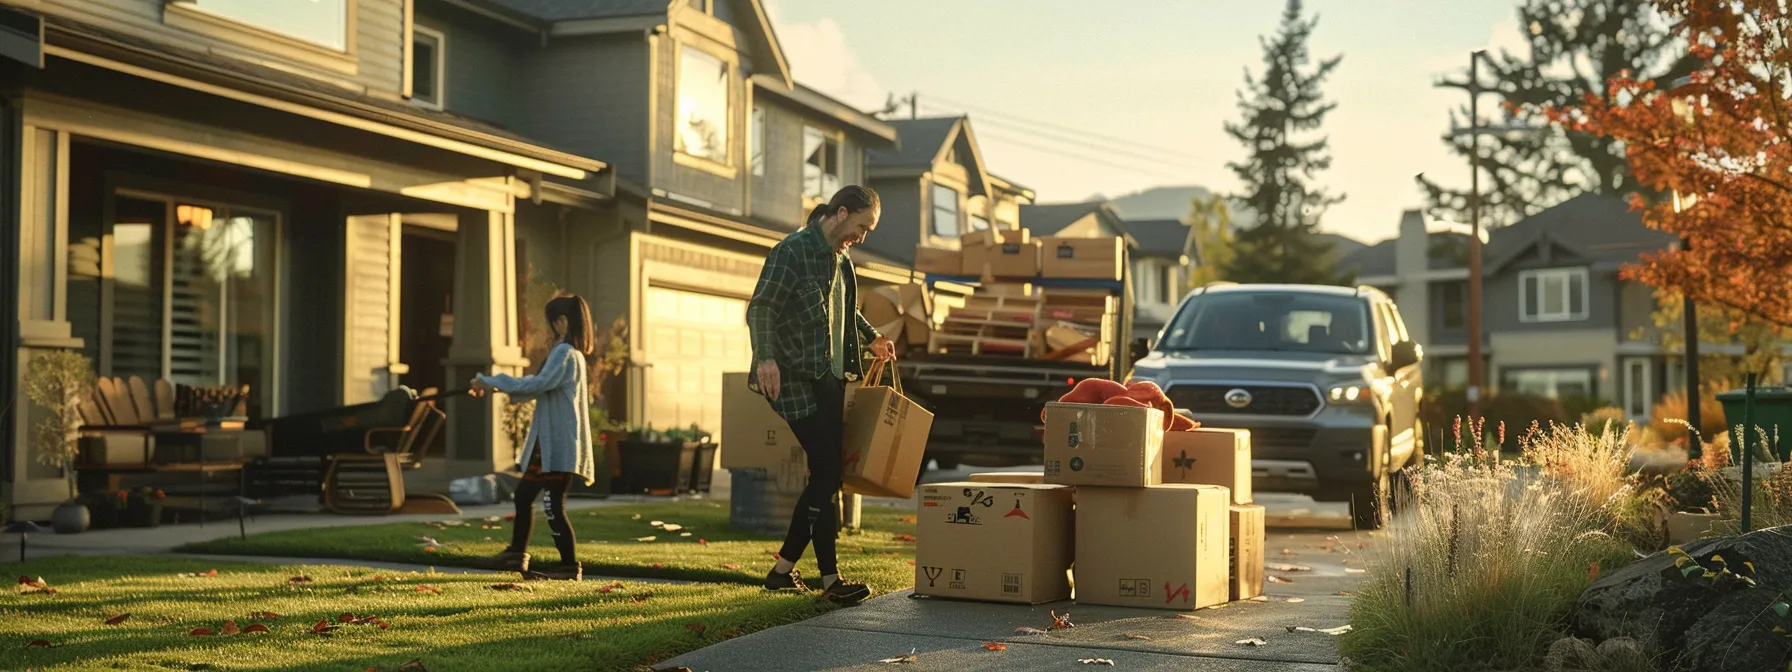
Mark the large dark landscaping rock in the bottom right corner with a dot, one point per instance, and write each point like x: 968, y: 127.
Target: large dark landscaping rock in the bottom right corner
x: 1693, y: 625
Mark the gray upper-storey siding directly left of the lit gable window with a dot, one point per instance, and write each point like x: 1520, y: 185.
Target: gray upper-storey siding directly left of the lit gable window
x: 589, y: 96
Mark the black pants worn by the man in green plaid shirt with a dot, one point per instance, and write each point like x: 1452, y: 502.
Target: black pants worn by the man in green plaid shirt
x: 816, y: 519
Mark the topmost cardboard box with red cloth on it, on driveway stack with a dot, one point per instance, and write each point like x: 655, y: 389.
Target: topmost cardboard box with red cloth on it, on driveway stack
x: 1101, y: 445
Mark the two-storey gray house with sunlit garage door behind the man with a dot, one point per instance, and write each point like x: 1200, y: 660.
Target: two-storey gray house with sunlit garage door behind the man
x: 718, y: 153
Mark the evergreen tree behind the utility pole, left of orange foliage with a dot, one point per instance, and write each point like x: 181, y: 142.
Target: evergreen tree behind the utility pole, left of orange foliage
x: 1574, y: 49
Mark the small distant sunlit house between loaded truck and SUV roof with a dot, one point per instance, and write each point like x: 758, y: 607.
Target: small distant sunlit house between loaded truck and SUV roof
x: 1162, y: 266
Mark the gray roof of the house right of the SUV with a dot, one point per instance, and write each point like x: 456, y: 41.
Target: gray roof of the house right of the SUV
x: 1598, y: 228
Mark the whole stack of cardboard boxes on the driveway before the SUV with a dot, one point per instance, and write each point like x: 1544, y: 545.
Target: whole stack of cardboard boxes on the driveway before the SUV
x: 1148, y: 519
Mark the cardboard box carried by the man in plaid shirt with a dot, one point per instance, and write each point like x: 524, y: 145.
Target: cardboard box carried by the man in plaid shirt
x: 884, y: 442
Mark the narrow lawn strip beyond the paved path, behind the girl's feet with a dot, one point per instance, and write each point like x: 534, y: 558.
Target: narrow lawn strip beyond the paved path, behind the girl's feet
x: 617, y: 542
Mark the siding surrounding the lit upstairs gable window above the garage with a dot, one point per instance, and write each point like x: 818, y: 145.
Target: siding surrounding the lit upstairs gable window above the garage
x: 714, y: 191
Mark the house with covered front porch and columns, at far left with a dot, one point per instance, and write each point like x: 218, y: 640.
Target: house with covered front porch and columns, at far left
x: 263, y: 194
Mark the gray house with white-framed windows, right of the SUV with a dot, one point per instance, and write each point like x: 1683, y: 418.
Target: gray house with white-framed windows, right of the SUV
x: 1558, y: 320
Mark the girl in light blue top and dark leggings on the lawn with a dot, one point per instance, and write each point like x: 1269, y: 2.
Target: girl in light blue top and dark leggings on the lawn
x: 560, y: 440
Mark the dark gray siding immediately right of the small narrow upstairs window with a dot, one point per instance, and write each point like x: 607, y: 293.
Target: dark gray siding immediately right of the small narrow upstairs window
x: 483, y: 64
